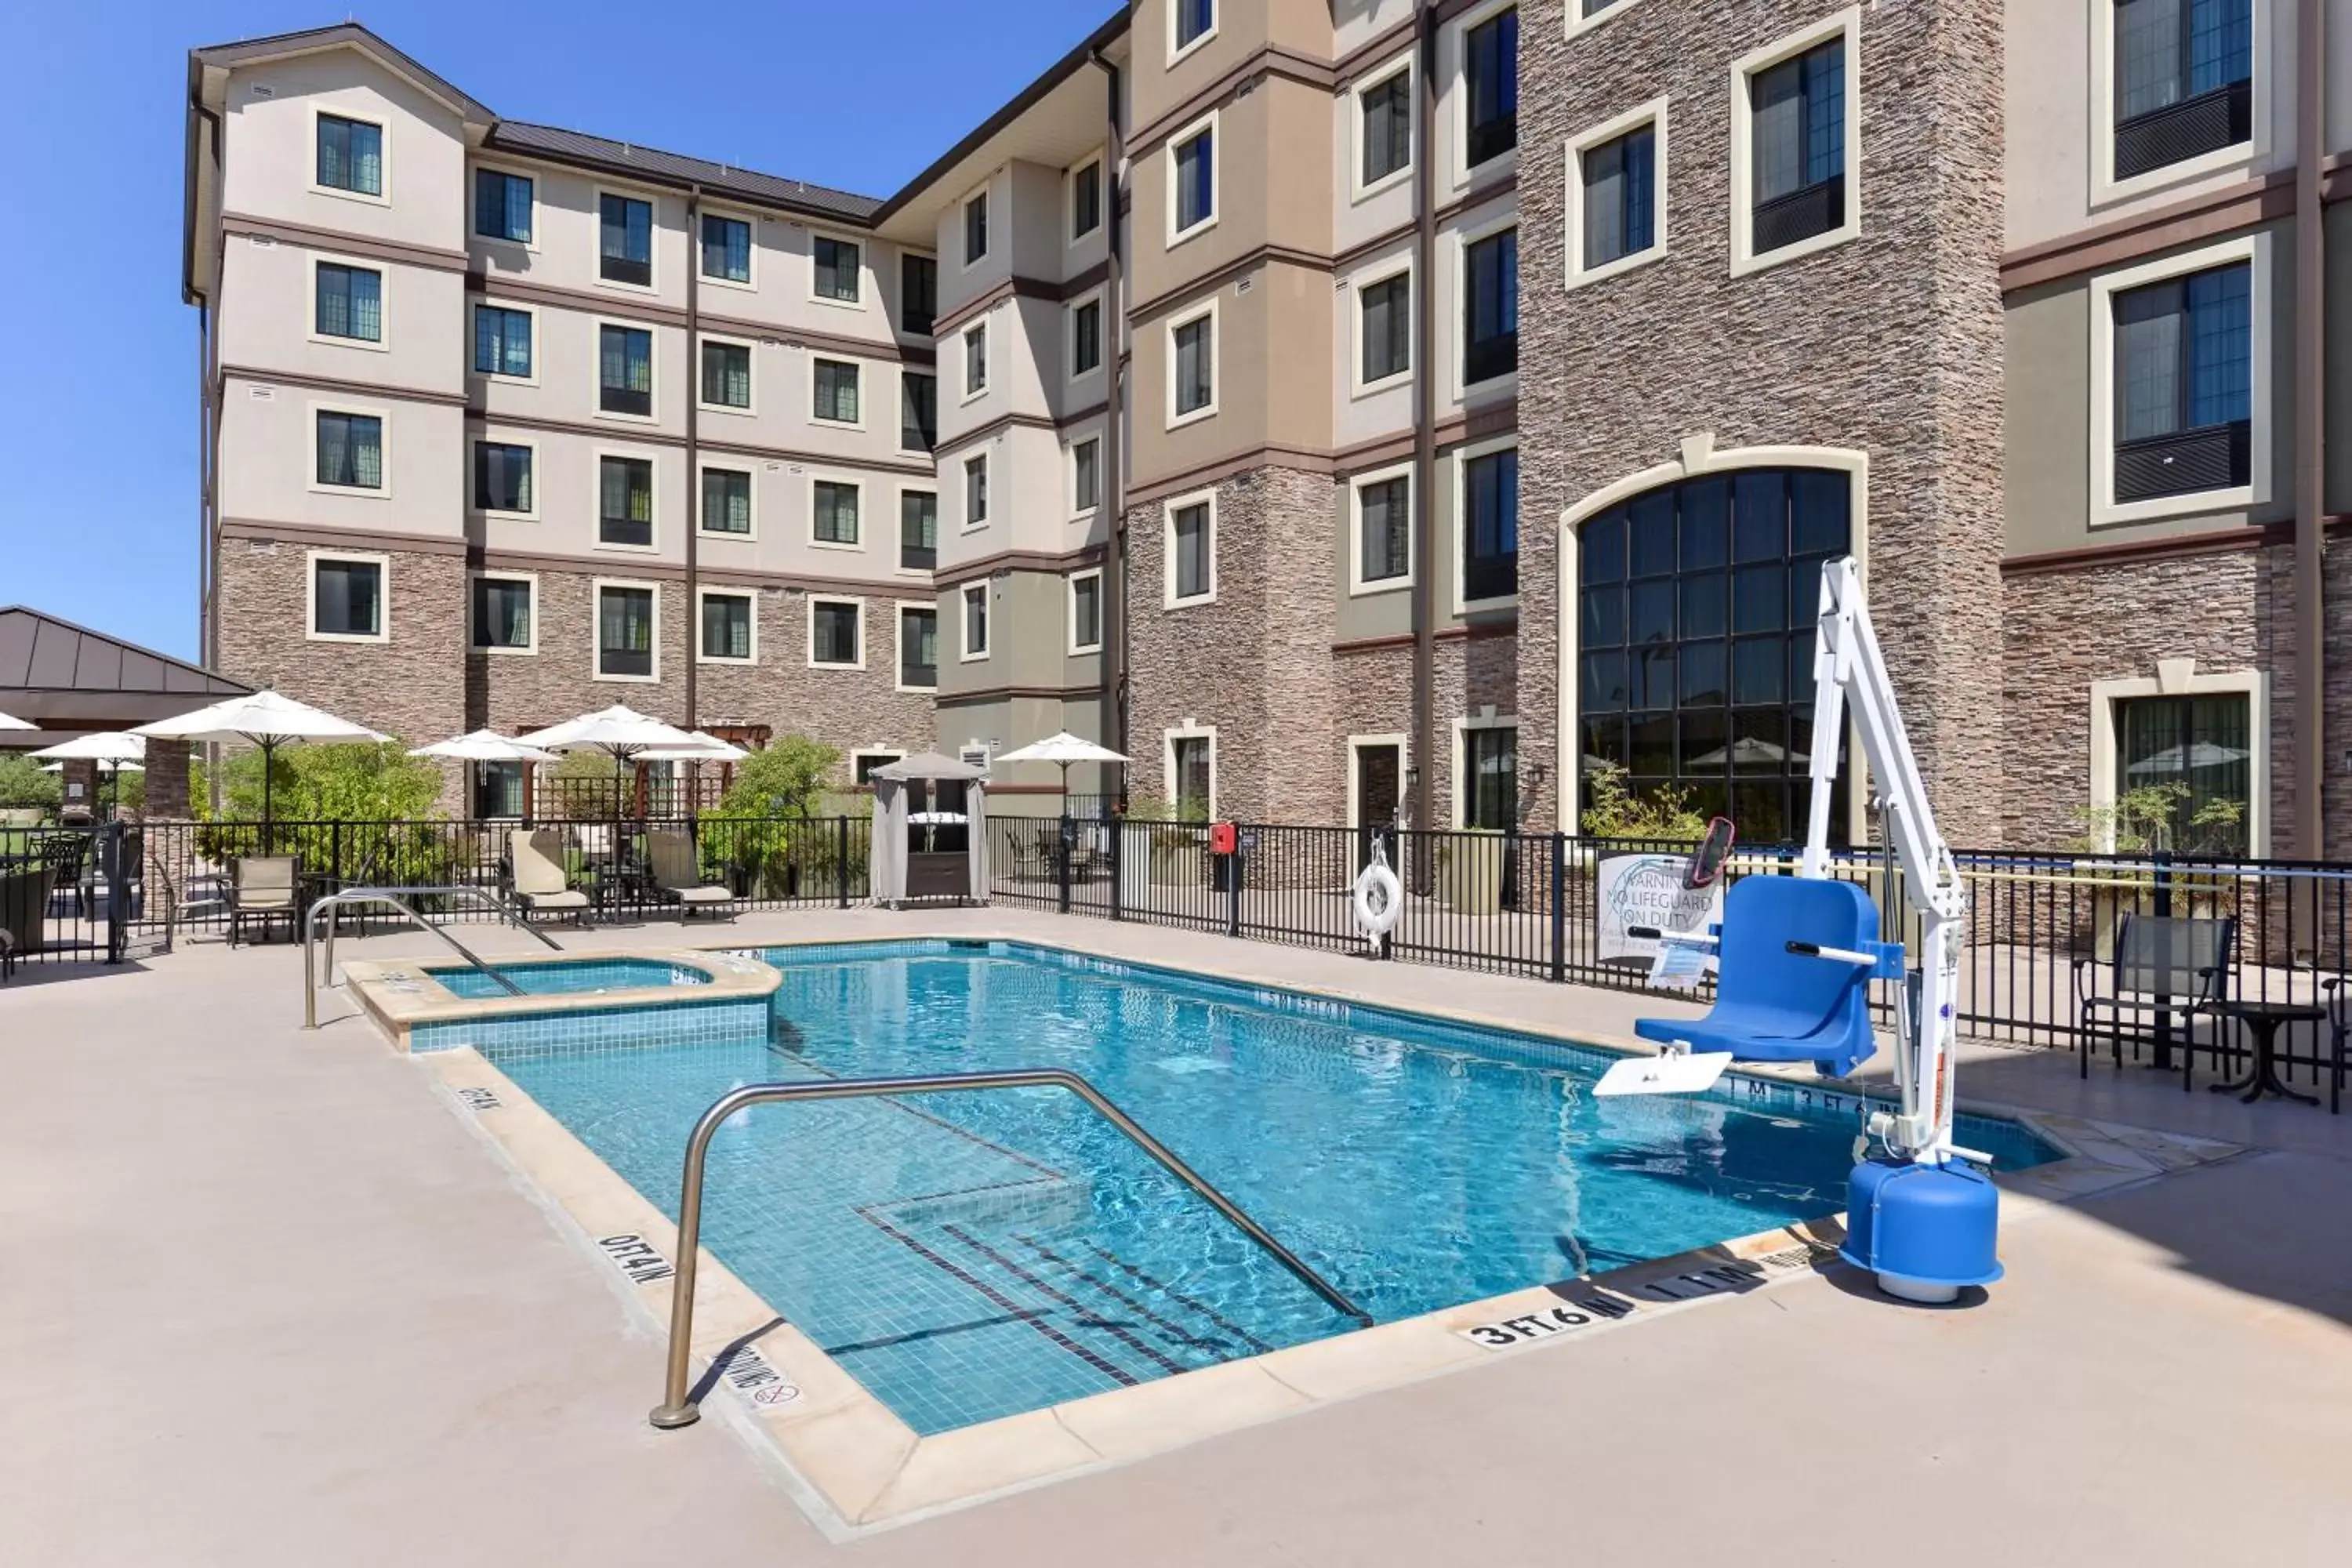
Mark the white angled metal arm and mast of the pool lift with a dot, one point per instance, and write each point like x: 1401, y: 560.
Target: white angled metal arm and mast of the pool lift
x: 1850, y: 669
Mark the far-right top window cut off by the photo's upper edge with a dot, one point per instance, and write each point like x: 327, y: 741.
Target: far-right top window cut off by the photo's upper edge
x: 2184, y: 81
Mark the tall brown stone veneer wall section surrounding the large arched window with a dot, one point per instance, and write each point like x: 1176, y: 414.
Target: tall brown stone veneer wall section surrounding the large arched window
x: 1890, y: 344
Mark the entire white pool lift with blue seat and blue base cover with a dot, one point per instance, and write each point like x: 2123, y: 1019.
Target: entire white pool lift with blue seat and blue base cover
x: 1796, y: 958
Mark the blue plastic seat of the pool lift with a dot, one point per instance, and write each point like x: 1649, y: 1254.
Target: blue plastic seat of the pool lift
x: 1786, y: 1007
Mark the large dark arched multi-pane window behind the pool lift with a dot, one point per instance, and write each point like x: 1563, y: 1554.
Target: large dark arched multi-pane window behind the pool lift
x: 1697, y: 641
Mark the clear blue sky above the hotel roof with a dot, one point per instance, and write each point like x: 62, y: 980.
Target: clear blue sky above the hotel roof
x: 100, y: 420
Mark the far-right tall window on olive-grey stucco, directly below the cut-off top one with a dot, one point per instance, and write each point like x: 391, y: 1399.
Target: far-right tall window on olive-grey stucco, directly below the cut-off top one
x: 2184, y: 384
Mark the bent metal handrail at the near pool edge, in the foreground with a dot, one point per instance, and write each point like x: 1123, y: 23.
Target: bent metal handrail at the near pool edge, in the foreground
x: 681, y: 1412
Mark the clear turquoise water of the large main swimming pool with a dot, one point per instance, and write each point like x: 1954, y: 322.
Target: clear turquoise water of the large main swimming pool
x: 982, y: 1254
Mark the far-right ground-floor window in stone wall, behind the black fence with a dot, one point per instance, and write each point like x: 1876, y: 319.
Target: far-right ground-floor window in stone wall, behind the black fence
x: 2203, y: 751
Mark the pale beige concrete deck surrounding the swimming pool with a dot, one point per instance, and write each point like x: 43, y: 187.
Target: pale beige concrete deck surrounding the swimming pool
x: 276, y: 1306
